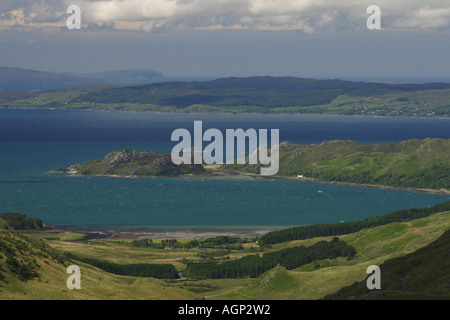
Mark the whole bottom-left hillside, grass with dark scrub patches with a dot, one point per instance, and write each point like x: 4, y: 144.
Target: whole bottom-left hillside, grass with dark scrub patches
x: 31, y: 270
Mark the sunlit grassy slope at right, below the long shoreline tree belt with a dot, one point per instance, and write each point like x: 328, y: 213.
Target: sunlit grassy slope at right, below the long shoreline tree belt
x: 319, y: 279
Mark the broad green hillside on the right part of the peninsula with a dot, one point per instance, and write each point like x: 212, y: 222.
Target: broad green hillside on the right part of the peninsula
x: 412, y: 163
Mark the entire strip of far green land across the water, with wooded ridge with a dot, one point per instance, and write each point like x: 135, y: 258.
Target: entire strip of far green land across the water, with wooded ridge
x: 249, y: 95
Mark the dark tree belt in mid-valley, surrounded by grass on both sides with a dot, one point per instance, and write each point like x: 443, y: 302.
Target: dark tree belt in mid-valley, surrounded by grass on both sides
x: 255, y: 265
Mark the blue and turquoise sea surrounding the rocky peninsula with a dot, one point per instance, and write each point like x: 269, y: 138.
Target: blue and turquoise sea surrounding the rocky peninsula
x: 35, y: 141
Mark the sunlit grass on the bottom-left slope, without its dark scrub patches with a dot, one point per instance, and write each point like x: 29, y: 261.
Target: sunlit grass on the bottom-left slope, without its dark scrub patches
x: 95, y: 283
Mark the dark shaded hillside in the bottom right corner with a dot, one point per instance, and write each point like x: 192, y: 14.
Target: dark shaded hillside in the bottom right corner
x: 423, y: 274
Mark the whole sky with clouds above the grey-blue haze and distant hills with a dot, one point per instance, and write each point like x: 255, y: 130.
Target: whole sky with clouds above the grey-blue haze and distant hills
x: 221, y: 38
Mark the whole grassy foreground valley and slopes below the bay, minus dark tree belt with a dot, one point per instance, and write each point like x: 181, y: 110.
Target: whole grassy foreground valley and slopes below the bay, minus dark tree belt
x: 34, y: 266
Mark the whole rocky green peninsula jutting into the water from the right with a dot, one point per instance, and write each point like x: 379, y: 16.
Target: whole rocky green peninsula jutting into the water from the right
x: 415, y: 164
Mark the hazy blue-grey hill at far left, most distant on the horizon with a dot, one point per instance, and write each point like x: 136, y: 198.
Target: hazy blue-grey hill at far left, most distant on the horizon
x: 27, y: 80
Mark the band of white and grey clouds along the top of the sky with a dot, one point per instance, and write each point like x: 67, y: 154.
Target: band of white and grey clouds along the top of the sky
x: 306, y: 15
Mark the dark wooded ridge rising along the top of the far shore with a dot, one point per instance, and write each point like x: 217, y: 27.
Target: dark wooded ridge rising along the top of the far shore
x: 265, y: 92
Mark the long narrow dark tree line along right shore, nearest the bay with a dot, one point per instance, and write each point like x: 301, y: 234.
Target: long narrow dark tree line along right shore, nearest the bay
x: 326, y: 230
